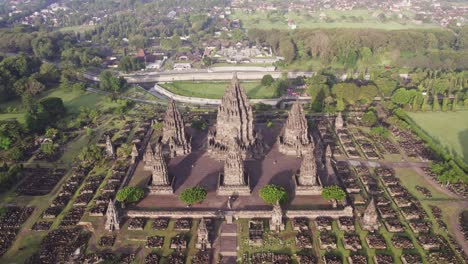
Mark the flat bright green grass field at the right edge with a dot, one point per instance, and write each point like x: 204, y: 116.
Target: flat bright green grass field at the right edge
x: 449, y: 128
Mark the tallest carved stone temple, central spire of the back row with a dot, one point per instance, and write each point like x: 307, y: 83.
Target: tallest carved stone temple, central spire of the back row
x: 234, y: 120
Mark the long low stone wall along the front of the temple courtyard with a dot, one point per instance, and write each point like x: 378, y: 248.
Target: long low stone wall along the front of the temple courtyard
x: 311, y: 214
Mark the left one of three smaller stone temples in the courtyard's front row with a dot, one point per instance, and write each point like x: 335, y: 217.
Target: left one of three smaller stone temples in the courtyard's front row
x: 155, y: 162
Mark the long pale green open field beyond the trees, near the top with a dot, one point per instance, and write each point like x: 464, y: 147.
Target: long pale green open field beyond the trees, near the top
x: 335, y: 19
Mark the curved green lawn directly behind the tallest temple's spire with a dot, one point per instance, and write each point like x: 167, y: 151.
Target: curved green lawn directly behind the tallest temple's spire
x: 215, y: 90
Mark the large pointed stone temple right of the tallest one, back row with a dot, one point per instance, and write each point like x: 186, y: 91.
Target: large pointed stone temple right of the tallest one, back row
x: 295, y: 138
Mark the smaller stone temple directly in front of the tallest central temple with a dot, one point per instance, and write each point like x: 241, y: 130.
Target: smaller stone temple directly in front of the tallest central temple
x: 234, y: 180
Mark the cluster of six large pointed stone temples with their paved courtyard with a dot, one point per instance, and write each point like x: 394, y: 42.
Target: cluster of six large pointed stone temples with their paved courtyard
x: 233, y: 159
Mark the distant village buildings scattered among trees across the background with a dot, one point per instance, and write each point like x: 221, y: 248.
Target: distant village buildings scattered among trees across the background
x: 218, y: 51
